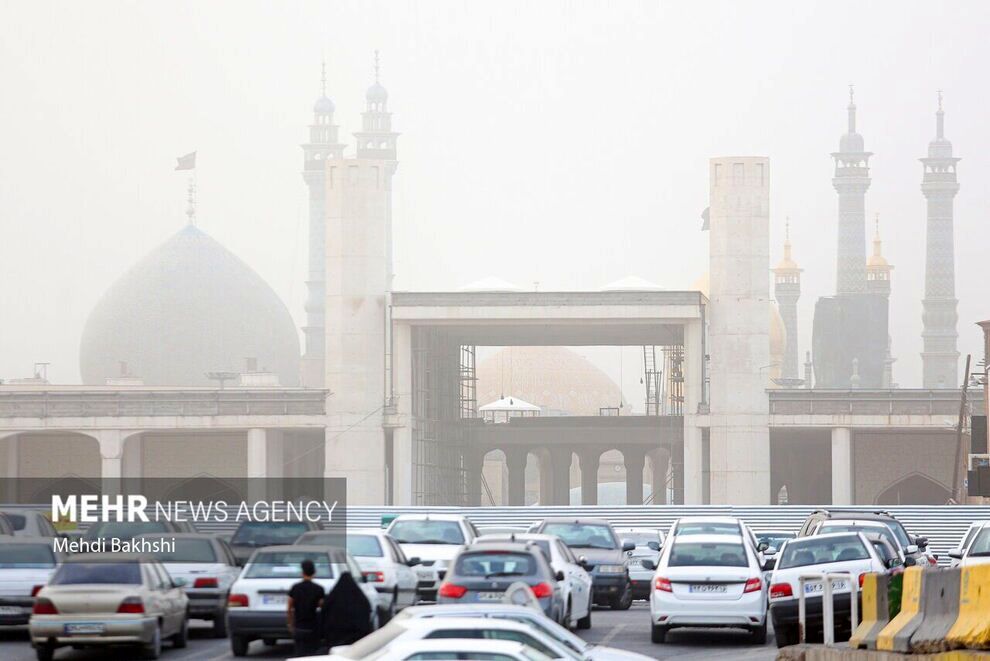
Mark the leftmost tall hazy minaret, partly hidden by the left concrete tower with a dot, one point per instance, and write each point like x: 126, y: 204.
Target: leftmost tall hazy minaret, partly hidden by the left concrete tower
x: 323, y: 145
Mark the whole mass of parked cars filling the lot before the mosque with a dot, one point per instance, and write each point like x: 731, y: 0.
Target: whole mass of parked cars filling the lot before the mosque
x: 435, y: 585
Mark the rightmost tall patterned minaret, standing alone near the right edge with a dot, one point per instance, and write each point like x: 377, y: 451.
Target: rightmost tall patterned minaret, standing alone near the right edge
x: 940, y: 358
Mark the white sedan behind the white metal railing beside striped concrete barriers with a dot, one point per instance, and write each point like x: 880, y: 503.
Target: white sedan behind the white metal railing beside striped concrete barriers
x: 849, y: 552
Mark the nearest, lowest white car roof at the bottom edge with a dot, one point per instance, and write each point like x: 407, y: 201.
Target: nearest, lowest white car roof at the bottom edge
x: 460, y: 648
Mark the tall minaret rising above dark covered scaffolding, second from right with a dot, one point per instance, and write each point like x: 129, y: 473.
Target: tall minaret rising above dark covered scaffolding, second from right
x: 851, y: 180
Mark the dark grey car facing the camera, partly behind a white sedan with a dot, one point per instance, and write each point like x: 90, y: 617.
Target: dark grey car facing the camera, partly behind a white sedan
x: 601, y: 554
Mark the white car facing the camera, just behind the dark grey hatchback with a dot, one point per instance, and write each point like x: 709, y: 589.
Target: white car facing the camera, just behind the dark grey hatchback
x: 435, y: 539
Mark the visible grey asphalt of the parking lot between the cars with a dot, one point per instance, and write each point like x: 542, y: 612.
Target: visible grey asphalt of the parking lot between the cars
x: 628, y: 630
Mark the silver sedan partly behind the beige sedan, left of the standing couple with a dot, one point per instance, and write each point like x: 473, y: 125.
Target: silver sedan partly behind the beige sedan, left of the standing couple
x: 207, y: 568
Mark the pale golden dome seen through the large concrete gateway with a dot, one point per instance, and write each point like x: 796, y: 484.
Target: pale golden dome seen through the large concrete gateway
x: 554, y: 378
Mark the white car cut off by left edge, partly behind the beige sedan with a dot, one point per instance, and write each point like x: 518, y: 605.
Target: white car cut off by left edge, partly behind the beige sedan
x: 26, y: 565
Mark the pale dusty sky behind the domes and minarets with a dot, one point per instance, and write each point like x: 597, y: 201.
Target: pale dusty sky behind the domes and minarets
x: 559, y: 142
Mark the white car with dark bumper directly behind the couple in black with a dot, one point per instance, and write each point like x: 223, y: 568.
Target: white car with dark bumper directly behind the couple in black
x: 259, y: 597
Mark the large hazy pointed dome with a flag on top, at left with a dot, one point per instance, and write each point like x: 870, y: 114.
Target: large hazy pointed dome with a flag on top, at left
x: 189, y: 307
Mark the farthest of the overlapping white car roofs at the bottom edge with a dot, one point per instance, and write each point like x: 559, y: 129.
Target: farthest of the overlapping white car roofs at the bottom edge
x: 530, y: 617
